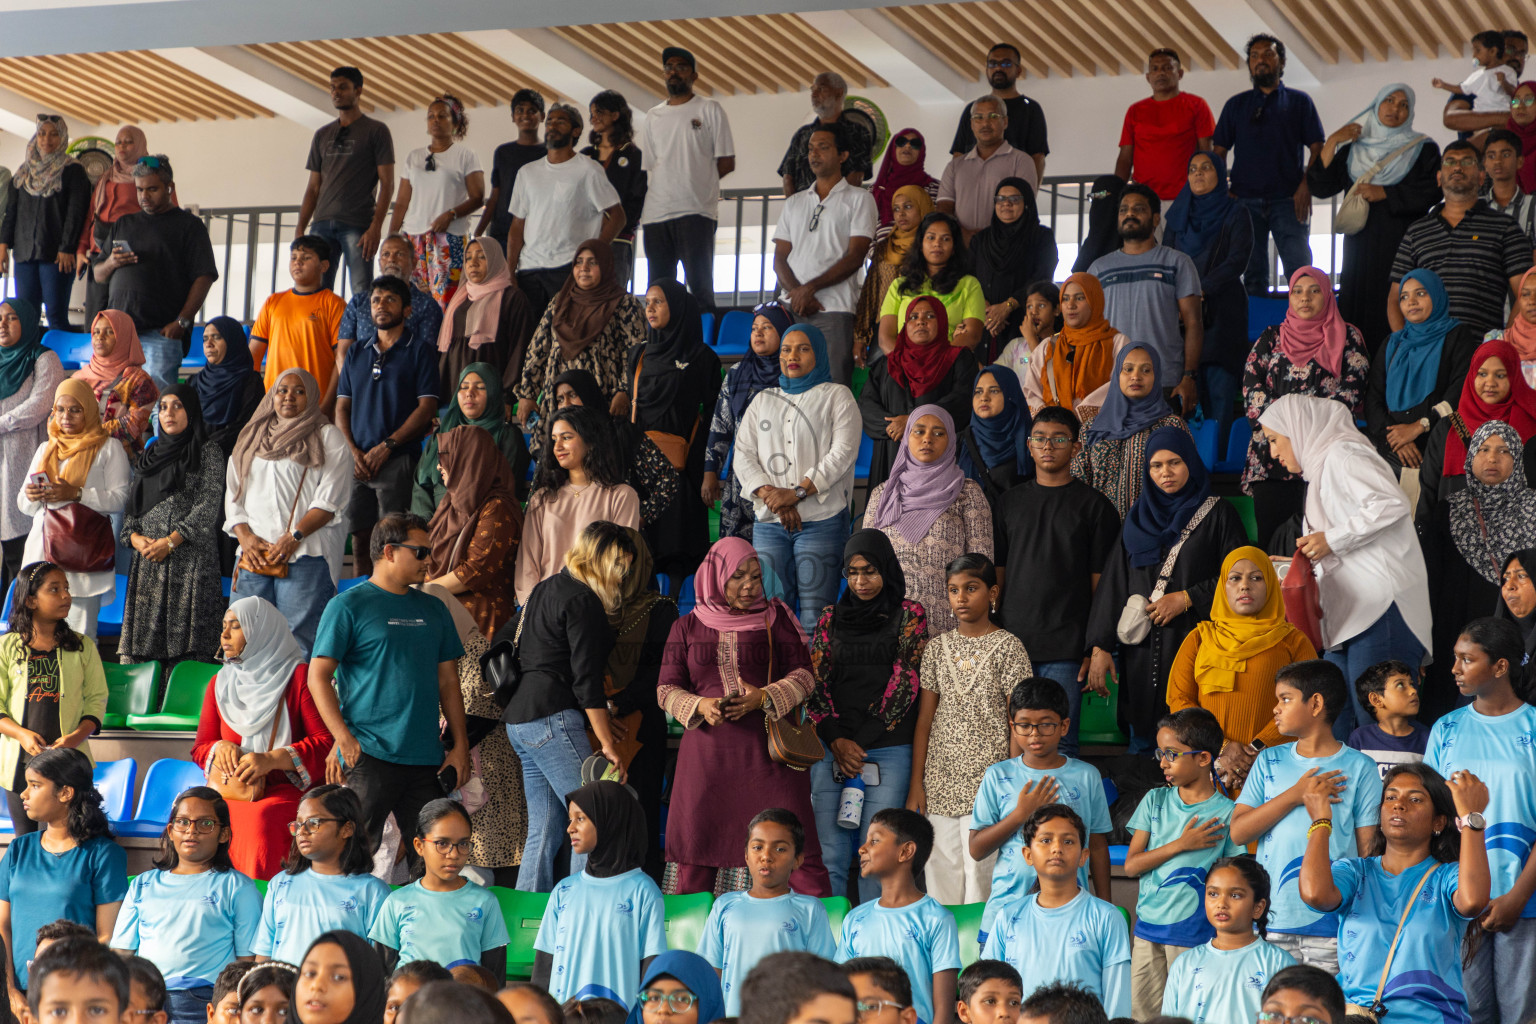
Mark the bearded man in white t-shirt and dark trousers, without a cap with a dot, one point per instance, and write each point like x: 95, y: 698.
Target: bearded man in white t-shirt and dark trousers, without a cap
x: 557, y: 205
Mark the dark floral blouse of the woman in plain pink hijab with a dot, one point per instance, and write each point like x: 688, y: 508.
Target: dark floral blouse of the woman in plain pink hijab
x: 1270, y: 375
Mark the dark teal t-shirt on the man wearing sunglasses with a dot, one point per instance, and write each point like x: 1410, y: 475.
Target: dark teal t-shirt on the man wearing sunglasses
x: 388, y: 649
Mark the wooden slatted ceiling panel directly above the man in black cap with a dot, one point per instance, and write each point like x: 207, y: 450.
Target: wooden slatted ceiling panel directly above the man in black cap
x: 730, y: 53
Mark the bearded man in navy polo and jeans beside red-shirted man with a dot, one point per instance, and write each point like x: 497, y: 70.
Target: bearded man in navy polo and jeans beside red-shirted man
x: 1270, y: 127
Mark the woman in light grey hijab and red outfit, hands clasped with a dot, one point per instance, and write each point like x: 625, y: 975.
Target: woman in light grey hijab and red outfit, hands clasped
x: 260, y: 727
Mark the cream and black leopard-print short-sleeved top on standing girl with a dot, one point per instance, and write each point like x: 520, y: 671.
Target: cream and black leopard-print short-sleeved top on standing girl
x: 975, y: 678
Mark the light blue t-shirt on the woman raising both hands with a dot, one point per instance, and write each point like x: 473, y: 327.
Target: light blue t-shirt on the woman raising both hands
x: 1425, y: 982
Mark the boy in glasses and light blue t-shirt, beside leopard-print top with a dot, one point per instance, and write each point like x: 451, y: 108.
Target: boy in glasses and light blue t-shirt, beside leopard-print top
x: 1013, y: 790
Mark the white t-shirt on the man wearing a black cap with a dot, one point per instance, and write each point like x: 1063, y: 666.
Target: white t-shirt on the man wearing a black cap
x: 680, y: 147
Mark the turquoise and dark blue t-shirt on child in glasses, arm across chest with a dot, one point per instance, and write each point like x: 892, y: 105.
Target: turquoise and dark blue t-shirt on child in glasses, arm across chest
x: 1171, y: 900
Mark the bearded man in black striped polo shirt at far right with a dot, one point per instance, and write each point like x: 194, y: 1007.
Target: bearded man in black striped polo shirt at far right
x: 1478, y: 253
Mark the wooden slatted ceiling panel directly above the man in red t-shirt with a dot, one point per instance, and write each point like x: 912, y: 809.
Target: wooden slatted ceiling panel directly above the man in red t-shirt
x: 1067, y: 38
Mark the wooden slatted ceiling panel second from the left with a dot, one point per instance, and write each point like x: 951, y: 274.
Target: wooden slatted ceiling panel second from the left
x: 405, y: 73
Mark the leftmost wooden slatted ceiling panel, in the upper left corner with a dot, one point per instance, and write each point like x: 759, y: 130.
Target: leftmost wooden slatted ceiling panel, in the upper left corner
x: 128, y: 87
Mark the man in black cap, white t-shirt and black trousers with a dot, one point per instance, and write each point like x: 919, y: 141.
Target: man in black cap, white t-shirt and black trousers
x: 686, y: 144
